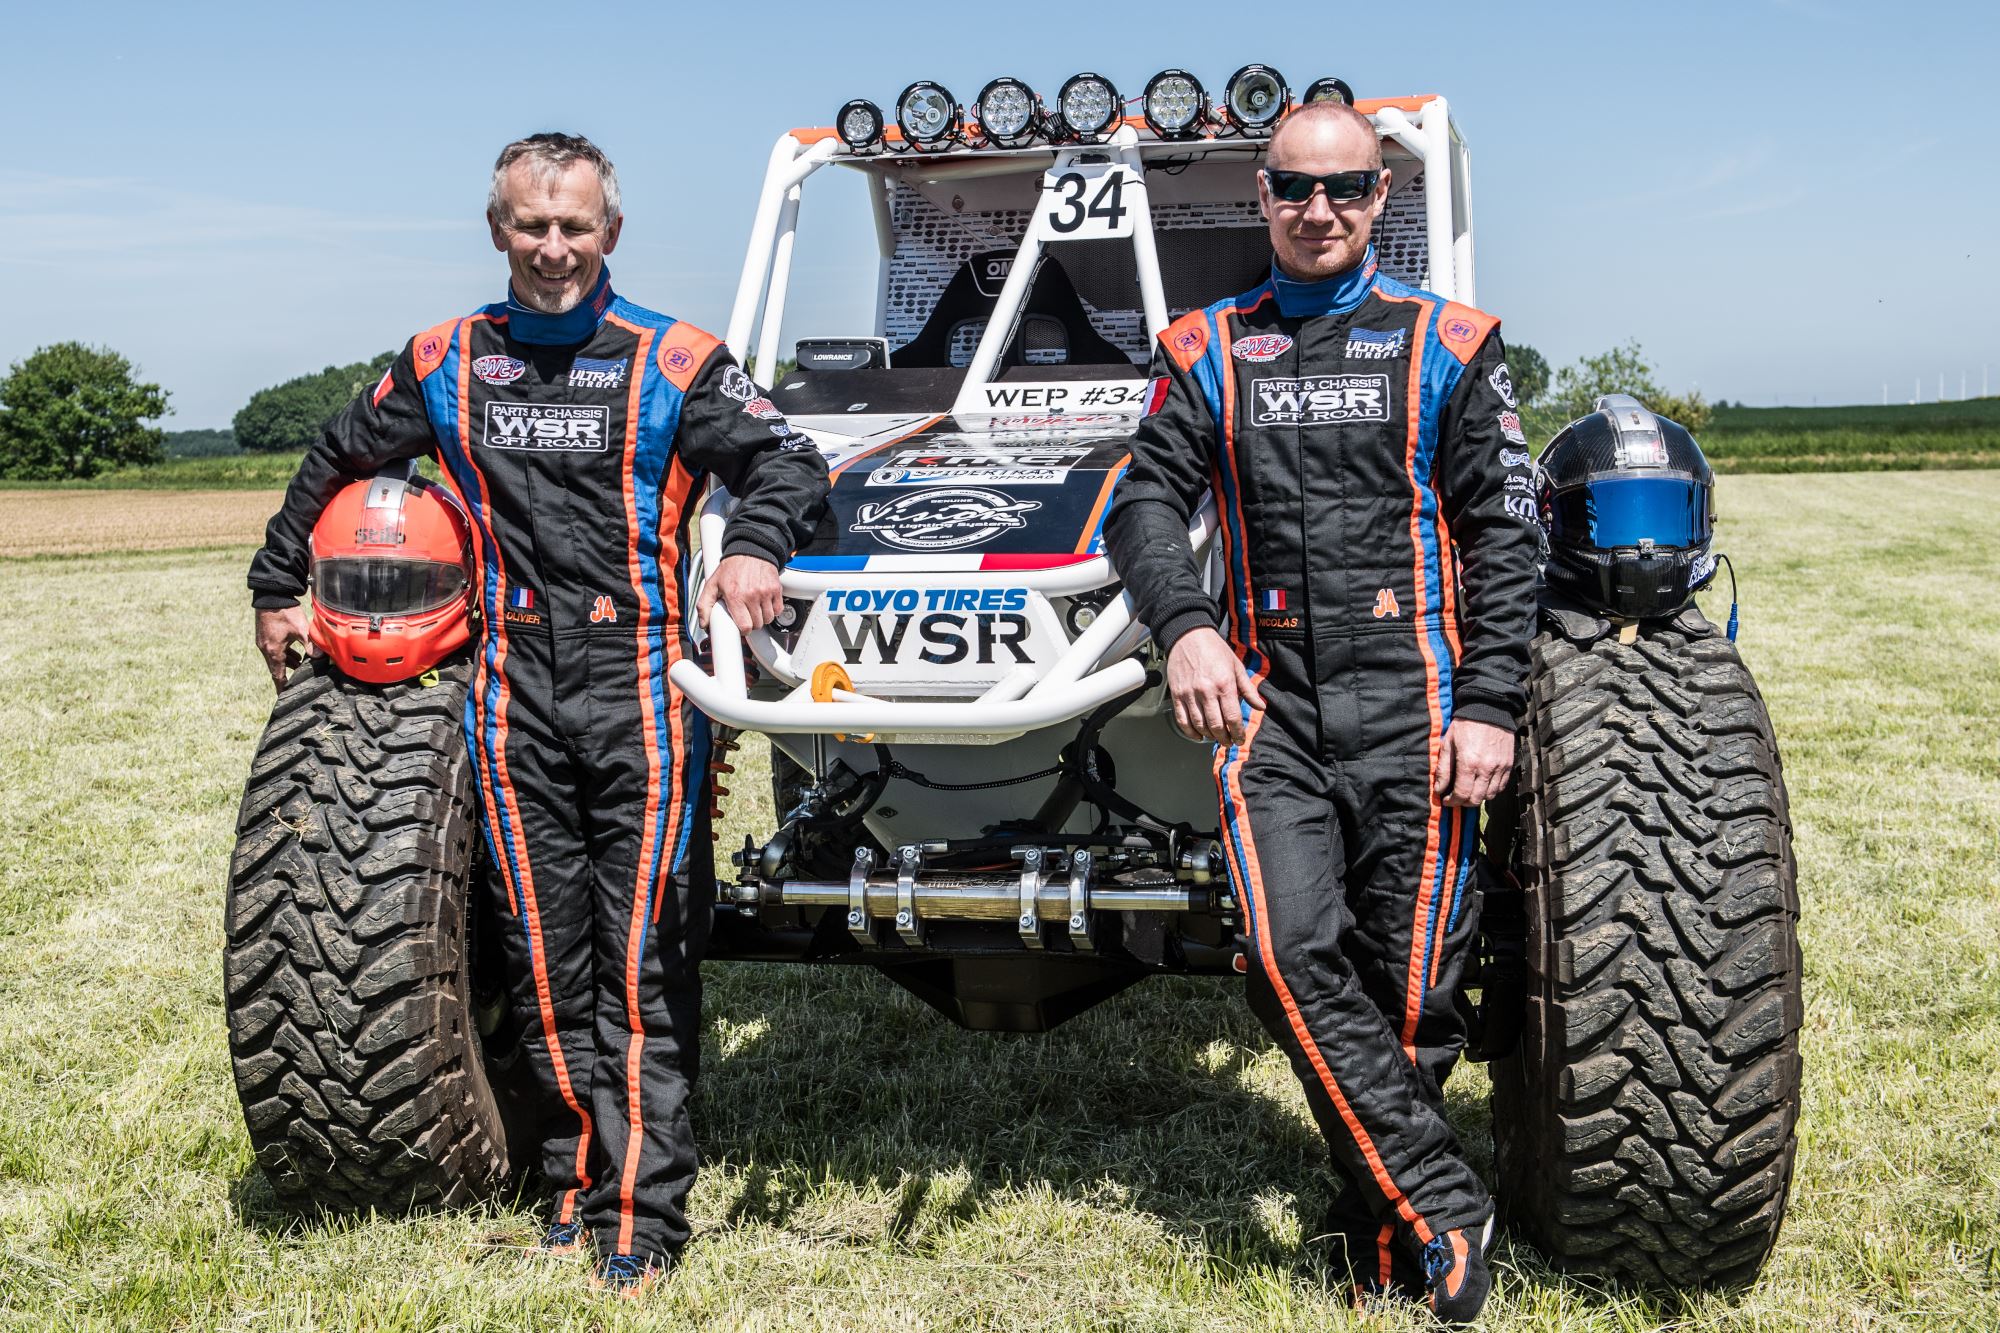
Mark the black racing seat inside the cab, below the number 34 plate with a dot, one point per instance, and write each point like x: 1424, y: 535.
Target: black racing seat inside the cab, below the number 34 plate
x: 1055, y: 329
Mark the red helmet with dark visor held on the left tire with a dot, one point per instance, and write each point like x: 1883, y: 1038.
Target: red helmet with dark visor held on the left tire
x: 391, y: 577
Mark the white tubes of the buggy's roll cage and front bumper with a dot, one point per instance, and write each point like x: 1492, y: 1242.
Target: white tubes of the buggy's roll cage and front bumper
x: 1075, y: 682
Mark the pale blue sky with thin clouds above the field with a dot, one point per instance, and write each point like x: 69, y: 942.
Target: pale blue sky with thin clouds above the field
x: 1785, y: 201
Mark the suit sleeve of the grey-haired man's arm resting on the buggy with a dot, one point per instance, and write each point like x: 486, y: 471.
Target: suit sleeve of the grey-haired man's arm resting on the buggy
x: 775, y: 473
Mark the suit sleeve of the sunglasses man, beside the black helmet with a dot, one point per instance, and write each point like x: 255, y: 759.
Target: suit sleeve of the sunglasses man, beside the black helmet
x: 1487, y: 495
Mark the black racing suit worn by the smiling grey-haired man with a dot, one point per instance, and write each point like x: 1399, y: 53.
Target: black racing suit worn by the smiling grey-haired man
x: 577, y: 445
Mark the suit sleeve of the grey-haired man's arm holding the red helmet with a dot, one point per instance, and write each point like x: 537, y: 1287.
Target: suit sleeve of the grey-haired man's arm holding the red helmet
x: 387, y: 423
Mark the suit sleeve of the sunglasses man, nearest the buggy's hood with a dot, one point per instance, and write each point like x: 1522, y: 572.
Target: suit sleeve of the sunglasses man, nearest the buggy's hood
x: 1147, y: 533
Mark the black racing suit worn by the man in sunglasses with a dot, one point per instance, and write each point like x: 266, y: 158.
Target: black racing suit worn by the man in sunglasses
x: 1375, y: 505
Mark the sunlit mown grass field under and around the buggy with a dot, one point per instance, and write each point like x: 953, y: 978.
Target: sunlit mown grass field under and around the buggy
x: 871, y: 1168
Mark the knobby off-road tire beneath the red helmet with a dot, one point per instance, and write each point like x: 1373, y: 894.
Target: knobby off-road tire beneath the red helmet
x: 347, y: 964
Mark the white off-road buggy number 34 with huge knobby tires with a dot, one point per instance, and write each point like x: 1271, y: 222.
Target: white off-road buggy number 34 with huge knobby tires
x: 981, y: 788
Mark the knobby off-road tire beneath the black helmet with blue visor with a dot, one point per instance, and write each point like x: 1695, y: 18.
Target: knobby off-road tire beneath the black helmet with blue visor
x: 1645, y: 1128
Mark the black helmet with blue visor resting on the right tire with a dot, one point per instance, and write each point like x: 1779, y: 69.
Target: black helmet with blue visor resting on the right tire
x: 1629, y: 509
